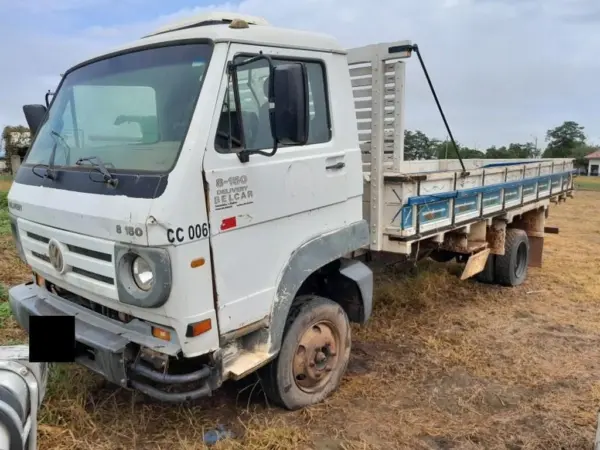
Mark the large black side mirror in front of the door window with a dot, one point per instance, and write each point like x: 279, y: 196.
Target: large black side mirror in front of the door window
x: 290, y: 117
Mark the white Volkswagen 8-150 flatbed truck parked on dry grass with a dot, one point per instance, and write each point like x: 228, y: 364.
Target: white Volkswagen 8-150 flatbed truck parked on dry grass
x: 202, y: 201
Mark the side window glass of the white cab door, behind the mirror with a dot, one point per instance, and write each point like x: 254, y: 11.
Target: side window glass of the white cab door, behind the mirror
x: 247, y: 124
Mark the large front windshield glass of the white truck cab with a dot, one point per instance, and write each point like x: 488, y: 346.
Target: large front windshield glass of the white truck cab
x: 131, y: 110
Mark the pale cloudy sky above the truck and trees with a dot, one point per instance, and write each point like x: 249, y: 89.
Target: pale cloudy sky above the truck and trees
x: 504, y: 70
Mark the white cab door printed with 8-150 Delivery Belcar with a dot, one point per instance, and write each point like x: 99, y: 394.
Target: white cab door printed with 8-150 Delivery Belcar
x: 261, y: 211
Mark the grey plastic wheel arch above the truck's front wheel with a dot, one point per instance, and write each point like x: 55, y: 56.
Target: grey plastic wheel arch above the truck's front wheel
x: 317, y: 259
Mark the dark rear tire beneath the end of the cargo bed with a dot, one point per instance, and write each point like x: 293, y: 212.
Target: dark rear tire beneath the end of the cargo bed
x: 511, y: 268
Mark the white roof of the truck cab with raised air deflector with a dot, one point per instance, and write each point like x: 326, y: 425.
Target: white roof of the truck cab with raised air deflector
x: 216, y: 27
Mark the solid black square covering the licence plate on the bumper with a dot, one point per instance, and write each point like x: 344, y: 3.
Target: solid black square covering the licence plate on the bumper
x: 51, y: 339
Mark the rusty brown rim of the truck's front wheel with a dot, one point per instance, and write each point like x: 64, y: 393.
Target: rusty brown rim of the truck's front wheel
x: 316, y: 356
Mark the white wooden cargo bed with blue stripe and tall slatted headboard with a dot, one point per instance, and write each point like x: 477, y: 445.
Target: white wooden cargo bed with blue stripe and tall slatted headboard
x: 409, y: 201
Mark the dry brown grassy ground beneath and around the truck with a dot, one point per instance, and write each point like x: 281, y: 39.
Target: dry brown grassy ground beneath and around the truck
x: 443, y: 364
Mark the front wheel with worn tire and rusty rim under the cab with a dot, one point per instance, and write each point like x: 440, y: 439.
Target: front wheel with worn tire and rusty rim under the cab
x: 313, y: 357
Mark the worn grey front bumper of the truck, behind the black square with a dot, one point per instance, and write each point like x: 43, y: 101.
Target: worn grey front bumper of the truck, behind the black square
x: 110, y: 348
